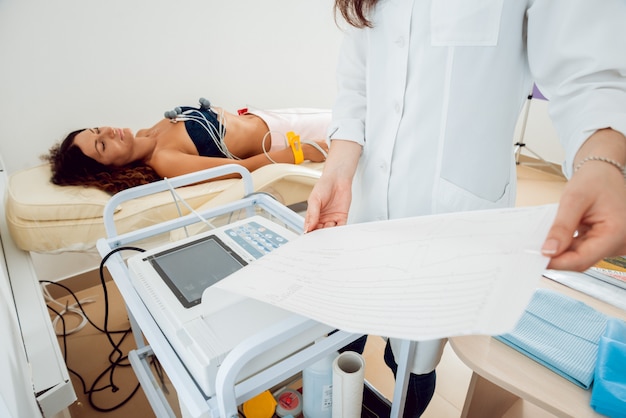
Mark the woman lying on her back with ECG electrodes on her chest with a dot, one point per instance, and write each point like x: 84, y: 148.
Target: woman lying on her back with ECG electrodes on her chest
x: 187, y: 140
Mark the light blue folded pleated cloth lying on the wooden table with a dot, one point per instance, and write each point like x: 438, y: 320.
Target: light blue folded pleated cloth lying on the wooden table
x: 561, y: 333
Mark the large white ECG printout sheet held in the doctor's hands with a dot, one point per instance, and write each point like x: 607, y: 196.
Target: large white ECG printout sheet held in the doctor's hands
x: 417, y: 278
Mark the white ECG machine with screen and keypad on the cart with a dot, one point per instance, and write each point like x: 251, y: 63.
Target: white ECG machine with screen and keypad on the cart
x: 203, y: 323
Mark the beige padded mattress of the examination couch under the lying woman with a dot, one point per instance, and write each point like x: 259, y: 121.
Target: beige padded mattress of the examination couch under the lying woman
x: 46, y: 218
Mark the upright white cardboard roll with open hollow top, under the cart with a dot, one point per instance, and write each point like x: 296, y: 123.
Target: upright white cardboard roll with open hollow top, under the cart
x: 348, y: 381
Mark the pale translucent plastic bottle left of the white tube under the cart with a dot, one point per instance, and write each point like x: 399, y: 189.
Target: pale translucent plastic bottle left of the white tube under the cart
x: 317, y: 388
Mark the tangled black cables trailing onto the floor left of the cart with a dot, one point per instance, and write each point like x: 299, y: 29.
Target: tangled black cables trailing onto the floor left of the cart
x: 116, y: 358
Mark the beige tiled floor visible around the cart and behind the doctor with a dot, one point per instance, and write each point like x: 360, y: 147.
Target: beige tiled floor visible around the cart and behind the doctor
x: 88, y: 350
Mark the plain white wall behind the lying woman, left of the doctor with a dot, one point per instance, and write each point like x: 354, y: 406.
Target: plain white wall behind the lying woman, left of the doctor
x: 68, y: 64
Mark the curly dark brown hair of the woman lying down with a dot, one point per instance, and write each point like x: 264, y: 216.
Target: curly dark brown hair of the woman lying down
x: 70, y: 167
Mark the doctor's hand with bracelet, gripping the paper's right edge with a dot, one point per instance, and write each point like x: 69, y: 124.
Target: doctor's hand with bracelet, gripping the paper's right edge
x: 591, y: 220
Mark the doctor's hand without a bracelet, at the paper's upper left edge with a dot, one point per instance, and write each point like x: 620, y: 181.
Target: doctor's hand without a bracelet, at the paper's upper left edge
x: 330, y: 199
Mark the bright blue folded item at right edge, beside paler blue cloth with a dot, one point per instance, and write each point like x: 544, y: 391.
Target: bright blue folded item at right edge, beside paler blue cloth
x: 608, y: 395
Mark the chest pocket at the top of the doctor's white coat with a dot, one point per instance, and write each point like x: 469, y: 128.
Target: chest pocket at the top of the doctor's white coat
x: 465, y: 22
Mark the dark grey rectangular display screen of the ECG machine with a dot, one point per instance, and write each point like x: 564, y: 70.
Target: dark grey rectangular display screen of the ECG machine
x: 189, y: 269
